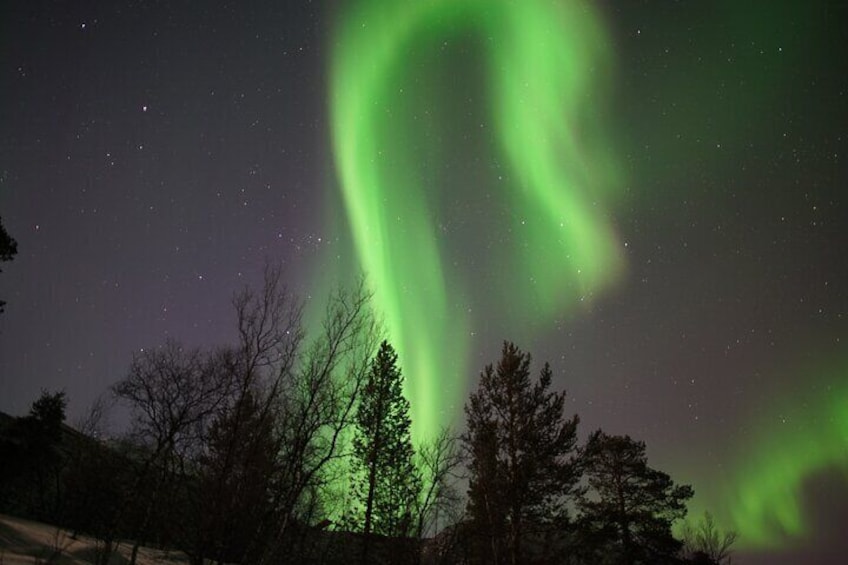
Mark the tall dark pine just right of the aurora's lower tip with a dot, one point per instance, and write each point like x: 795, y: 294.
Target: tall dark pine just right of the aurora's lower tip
x: 521, y: 449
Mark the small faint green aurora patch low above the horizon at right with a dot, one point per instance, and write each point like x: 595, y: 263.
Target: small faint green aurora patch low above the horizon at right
x: 801, y: 439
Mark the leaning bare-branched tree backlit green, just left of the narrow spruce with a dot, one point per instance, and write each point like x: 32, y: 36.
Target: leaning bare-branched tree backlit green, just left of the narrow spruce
x: 314, y: 412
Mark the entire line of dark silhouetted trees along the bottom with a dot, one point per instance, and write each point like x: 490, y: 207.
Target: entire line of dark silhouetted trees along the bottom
x: 285, y: 447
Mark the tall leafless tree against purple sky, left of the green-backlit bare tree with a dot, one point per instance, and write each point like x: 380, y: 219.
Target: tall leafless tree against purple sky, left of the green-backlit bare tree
x: 243, y: 444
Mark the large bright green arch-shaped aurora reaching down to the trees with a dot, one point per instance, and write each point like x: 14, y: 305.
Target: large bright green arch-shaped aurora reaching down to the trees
x: 545, y: 68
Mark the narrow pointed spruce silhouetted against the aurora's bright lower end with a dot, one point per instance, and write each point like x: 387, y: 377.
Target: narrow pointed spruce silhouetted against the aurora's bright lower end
x: 388, y: 483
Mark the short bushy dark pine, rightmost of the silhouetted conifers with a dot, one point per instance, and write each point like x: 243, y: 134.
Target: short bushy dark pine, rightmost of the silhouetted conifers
x: 629, y: 508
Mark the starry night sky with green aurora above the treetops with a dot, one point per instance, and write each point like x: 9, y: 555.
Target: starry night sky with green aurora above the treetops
x: 677, y: 252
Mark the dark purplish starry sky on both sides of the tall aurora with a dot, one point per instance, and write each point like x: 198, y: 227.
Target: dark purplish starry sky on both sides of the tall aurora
x: 154, y: 154
